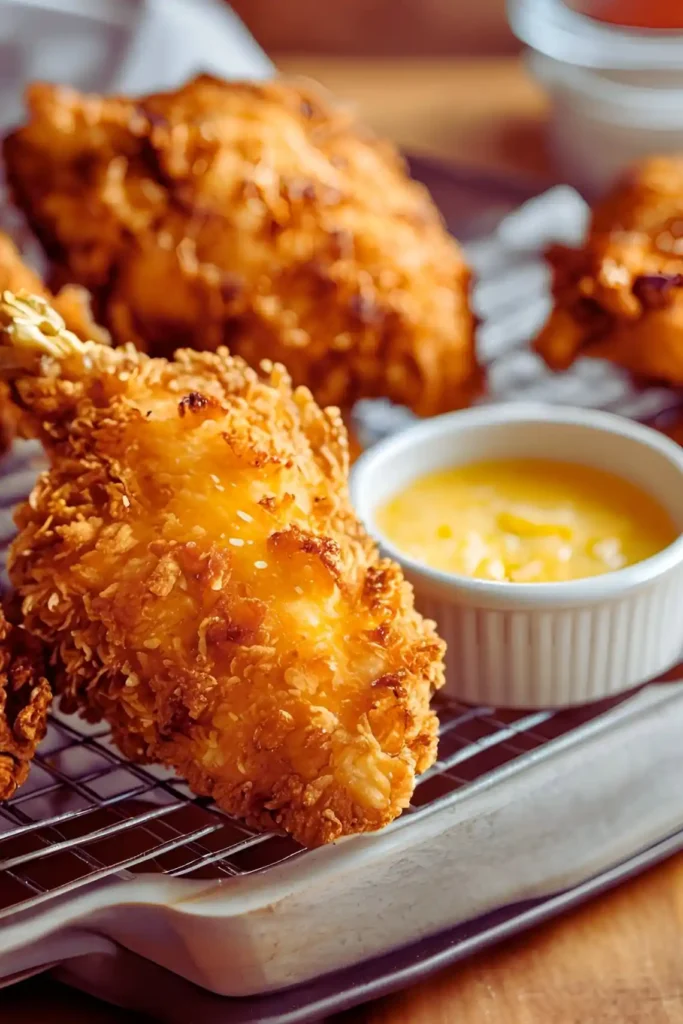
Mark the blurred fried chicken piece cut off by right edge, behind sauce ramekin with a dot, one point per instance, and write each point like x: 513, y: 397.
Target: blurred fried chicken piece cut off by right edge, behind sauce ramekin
x: 621, y: 296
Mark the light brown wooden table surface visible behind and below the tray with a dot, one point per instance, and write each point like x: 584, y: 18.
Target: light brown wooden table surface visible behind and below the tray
x: 619, y: 960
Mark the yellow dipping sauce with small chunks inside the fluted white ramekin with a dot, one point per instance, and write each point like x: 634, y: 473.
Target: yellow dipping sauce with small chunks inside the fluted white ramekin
x: 526, y: 521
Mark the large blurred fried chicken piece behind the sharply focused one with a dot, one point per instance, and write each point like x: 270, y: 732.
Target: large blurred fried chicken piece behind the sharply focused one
x: 257, y: 216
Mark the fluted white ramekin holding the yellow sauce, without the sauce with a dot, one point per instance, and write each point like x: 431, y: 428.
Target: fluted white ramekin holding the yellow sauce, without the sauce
x: 539, y: 646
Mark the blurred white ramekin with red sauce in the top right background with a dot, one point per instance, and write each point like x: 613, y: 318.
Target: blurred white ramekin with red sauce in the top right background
x: 617, y: 93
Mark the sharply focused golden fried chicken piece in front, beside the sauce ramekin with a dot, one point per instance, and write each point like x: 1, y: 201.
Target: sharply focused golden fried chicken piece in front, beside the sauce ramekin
x: 193, y: 556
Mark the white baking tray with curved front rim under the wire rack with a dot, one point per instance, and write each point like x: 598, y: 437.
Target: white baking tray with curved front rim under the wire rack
x: 546, y: 821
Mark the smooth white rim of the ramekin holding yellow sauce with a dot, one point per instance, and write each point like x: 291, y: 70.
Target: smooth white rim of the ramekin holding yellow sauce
x: 504, y: 594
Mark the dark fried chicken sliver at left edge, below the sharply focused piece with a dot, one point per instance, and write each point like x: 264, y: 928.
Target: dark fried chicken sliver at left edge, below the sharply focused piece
x: 25, y: 702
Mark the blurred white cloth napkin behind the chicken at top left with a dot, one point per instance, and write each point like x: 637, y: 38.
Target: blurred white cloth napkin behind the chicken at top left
x: 127, y: 47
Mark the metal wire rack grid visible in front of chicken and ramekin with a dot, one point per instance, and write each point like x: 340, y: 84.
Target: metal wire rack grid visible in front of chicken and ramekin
x: 87, y: 814
